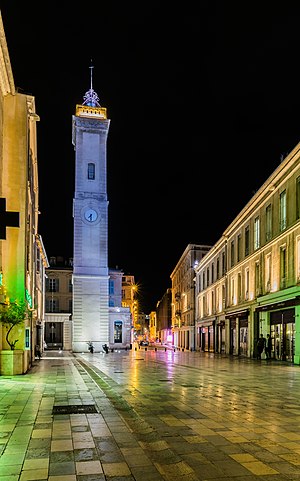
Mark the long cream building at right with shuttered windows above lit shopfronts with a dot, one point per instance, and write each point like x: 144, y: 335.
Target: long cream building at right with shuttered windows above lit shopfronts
x: 248, y: 284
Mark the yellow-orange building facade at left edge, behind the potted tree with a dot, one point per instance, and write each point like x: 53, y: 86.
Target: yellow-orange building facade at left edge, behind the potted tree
x: 22, y: 256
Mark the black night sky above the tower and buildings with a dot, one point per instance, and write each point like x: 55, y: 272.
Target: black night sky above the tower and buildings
x: 202, y: 107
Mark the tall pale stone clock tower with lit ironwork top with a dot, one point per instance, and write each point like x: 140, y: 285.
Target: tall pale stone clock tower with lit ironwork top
x: 90, y: 212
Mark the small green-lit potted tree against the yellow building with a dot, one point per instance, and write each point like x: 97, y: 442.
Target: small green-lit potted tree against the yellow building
x: 12, y: 314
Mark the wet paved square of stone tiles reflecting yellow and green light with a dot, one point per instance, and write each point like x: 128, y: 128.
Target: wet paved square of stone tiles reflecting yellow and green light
x: 159, y: 416
